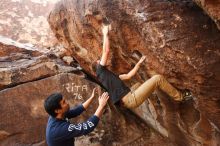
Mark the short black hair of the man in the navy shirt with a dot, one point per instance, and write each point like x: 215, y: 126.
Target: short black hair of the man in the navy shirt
x: 52, y: 103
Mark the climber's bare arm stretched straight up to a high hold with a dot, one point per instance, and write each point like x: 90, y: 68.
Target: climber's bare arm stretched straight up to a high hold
x: 106, y: 46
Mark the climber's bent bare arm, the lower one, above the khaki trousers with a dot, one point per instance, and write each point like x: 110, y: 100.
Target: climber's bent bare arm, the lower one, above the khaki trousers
x: 133, y: 71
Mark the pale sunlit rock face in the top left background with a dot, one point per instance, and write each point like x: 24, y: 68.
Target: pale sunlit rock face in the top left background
x: 26, y: 21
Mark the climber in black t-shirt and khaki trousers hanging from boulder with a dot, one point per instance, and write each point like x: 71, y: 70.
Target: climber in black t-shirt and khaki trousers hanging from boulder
x: 121, y: 94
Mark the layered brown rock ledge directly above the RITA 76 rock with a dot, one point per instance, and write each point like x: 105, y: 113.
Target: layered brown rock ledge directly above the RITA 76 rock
x: 19, y: 65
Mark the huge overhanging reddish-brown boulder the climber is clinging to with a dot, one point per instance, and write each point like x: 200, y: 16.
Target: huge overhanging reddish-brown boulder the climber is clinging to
x: 181, y: 43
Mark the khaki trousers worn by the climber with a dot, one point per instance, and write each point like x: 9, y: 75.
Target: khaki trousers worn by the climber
x: 135, y: 98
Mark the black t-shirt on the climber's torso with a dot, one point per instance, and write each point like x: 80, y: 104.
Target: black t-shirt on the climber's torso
x: 112, y: 83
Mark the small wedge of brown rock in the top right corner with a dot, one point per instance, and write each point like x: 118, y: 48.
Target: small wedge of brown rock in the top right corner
x: 211, y: 7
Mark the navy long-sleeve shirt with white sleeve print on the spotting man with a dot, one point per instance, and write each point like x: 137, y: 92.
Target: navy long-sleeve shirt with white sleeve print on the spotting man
x: 62, y: 132
